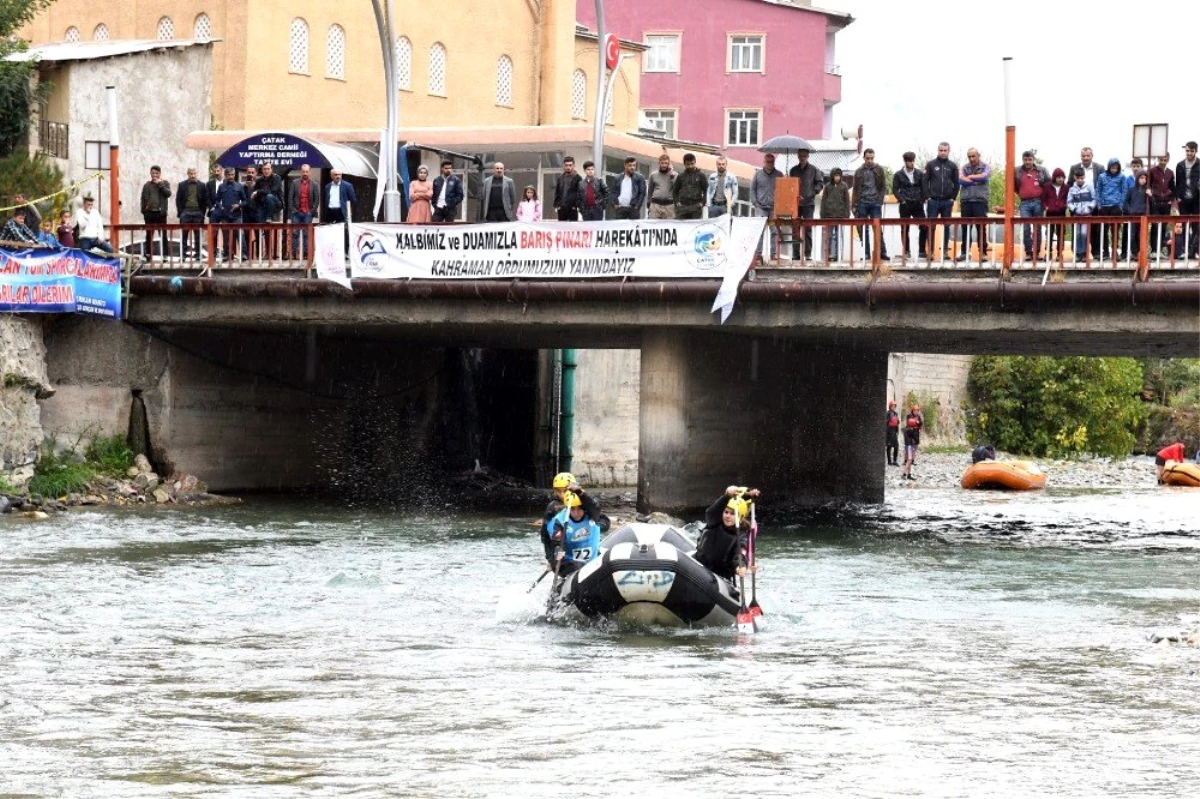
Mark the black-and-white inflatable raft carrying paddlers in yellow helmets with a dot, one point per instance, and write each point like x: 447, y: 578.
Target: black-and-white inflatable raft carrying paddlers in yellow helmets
x: 646, y: 574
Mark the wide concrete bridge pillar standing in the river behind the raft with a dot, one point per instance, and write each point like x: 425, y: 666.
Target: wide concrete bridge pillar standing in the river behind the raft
x: 802, y: 423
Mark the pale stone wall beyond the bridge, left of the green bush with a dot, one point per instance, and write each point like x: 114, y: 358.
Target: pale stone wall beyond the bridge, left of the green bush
x: 927, y: 375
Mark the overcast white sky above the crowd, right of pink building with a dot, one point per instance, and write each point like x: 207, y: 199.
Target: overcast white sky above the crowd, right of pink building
x: 916, y: 73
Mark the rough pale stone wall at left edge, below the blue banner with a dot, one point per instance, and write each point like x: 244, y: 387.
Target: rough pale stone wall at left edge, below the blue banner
x: 25, y: 380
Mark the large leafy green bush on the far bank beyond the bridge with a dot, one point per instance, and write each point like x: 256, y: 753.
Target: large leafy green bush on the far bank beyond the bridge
x: 1057, y: 407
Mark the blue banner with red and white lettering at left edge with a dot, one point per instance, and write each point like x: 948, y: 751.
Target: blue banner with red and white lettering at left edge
x: 59, y: 281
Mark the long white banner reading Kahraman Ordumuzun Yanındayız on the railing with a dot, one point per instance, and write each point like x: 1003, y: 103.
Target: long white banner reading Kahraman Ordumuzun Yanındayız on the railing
x: 651, y: 249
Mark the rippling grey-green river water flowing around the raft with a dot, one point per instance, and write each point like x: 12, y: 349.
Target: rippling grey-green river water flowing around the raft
x: 944, y: 645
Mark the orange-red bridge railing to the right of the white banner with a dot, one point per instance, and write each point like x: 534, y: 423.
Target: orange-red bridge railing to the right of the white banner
x: 1135, y: 243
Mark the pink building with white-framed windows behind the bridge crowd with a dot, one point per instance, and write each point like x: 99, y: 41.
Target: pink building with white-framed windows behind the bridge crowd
x: 733, y: 73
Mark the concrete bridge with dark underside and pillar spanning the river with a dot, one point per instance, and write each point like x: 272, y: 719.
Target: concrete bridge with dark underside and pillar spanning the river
x: 788, y: 394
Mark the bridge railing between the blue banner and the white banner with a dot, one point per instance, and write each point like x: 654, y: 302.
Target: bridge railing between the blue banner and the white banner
x: 211, y: 248
